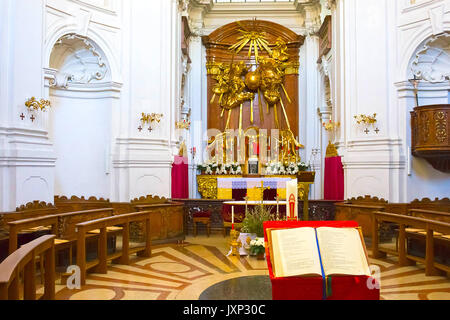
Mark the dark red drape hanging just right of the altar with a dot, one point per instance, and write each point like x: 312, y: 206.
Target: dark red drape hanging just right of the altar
x: 334, y: 179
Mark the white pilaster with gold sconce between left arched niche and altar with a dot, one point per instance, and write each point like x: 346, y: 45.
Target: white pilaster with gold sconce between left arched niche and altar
x: 144, y: 159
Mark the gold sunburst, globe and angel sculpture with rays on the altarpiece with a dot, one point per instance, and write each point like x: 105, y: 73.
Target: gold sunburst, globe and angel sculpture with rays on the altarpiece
x: 236, y: 84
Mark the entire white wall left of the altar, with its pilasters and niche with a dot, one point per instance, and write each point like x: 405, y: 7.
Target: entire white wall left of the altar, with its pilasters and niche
x: 140, y: 42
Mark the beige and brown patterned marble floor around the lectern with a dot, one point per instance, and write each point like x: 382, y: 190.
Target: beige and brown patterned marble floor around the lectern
x: 186, y: 272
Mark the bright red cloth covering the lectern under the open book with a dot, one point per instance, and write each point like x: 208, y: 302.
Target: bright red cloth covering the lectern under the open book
x: 311, y: 288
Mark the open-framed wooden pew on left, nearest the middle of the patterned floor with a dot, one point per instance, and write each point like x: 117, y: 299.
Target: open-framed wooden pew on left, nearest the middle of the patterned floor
x: 124, y: 220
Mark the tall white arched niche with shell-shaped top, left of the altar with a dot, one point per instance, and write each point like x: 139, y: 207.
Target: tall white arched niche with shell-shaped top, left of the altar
x: 83, y: 98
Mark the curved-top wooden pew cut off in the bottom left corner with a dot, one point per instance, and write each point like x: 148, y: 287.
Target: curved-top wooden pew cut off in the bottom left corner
x: 23, y: 261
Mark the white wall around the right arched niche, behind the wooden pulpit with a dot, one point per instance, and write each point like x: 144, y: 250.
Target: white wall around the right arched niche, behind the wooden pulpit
x: 417, y: 23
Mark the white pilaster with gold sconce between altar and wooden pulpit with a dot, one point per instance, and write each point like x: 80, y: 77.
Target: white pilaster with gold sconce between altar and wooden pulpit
x: 365, y: 57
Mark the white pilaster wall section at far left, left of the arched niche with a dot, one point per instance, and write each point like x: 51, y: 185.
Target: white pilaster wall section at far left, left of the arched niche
x: 26, y: 158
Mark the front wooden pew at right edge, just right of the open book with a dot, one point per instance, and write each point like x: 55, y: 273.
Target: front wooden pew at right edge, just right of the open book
x: 430, y: 226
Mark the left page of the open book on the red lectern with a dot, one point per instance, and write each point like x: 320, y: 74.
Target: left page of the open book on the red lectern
x: 295, y: 252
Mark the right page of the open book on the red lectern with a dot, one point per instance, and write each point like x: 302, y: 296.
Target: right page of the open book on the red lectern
x: 342, y: 251
